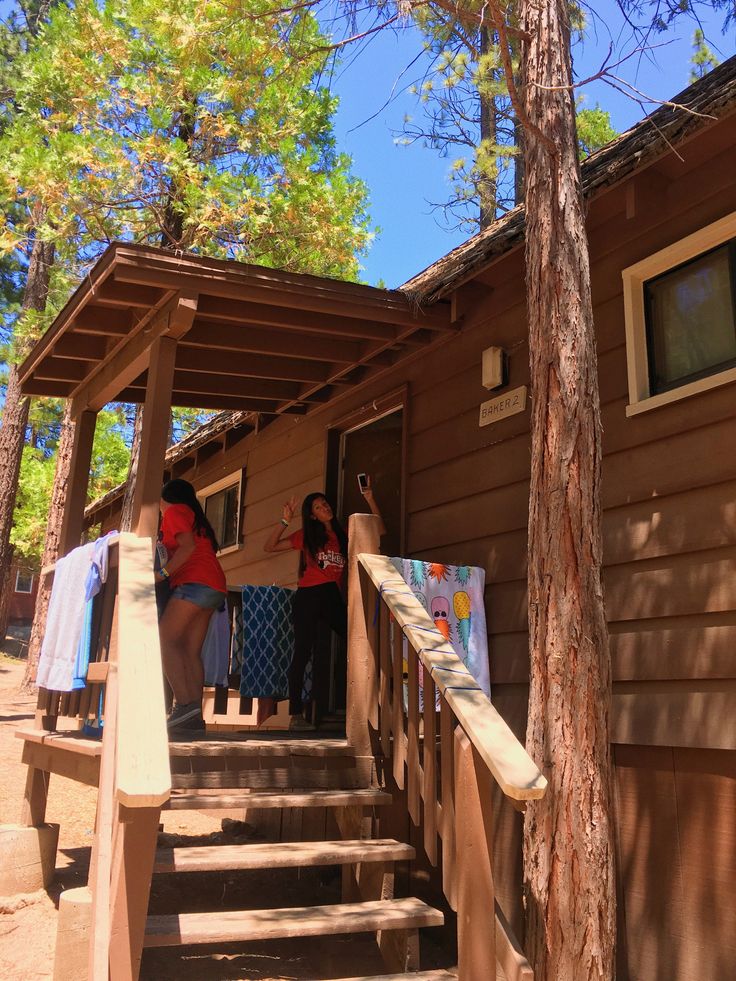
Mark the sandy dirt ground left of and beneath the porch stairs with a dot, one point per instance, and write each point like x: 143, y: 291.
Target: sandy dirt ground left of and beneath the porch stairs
x: 28, y: 922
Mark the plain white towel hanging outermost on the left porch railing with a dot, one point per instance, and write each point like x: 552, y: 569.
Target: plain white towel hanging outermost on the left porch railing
x: 65, y: 621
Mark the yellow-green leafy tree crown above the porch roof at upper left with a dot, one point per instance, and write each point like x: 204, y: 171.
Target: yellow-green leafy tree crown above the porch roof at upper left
x: 199, y: 120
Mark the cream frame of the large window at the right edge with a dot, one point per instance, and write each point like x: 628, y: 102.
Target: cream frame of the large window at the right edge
x: 634, y: 278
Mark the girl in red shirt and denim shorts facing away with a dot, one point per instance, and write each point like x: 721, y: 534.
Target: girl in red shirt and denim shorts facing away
x: 198, y: 588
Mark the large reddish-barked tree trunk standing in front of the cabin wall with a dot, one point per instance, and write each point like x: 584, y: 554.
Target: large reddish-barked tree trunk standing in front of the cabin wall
x: 568, y: 848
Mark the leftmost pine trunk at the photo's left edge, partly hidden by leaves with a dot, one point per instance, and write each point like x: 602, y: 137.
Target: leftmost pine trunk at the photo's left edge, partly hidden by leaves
x: 15, y: 414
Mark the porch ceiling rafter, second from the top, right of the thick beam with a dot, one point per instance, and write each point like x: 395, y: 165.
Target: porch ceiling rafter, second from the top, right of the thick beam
x: 239, y: 337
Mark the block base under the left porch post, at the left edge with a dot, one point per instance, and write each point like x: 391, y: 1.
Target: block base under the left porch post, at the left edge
x: 27, y: 857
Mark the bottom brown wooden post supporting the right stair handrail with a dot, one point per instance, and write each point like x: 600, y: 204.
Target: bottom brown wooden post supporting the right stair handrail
x: 476, y: 900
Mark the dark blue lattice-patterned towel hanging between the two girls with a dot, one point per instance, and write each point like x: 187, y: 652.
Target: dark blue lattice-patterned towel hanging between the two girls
x: 268, y: 641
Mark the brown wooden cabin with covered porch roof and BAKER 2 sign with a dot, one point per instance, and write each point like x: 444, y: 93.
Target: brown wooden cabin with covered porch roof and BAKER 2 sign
x: 328, y: 379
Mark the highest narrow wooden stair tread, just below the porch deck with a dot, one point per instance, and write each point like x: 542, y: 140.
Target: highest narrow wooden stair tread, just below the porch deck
x: 194, y: 800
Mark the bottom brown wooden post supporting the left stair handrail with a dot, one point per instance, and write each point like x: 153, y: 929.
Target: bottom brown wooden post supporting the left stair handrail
x: 132, y: 869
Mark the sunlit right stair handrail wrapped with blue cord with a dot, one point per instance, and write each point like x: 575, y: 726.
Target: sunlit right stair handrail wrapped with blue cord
x: 516, y: 773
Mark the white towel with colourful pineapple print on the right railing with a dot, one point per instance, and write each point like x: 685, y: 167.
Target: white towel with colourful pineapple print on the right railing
x: 452, y: 595
